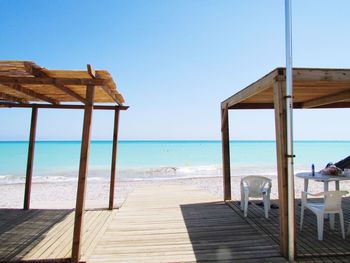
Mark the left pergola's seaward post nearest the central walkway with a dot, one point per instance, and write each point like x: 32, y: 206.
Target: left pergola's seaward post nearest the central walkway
x: 114, y: 158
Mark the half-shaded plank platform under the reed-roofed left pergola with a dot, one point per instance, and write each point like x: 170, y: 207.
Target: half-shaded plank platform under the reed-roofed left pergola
x: 46, y: 234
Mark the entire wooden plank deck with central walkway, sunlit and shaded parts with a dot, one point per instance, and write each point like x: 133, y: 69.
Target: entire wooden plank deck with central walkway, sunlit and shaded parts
x: 165, y: 223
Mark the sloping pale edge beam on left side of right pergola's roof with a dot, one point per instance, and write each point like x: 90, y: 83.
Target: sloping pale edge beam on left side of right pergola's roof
x: 262, y: 84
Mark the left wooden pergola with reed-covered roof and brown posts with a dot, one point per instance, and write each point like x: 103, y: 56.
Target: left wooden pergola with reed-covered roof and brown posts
x: 23, y: 84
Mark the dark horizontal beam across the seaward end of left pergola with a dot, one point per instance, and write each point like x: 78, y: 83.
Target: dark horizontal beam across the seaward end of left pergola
x: 61, y: 106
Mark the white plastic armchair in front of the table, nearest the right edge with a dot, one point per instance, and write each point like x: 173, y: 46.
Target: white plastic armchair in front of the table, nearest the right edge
x: 331, y: 205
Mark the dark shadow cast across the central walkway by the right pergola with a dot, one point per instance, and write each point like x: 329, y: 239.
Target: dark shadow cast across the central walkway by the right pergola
x: 218, y: 234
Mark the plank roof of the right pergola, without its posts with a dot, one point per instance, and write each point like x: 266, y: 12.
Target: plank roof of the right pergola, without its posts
x: 312, y: 88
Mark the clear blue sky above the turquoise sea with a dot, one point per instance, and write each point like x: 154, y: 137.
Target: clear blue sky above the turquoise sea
x: 174, y: 62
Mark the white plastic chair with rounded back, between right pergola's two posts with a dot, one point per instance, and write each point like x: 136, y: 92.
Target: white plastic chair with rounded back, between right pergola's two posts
x: 255, y: 186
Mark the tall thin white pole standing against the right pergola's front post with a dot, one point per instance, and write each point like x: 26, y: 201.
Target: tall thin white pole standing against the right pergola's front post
x: 289, y: 114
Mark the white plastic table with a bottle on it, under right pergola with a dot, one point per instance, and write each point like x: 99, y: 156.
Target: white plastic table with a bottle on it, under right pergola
x: 322, y: 178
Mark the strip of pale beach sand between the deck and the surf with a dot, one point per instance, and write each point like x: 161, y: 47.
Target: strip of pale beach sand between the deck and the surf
x: 63, y: 194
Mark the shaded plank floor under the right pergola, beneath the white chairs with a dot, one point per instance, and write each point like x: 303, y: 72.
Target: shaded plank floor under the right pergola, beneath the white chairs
x: 332, y: 249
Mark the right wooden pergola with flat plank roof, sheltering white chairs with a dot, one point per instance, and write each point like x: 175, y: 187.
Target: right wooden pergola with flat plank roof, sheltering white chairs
x: 313, y: 88
